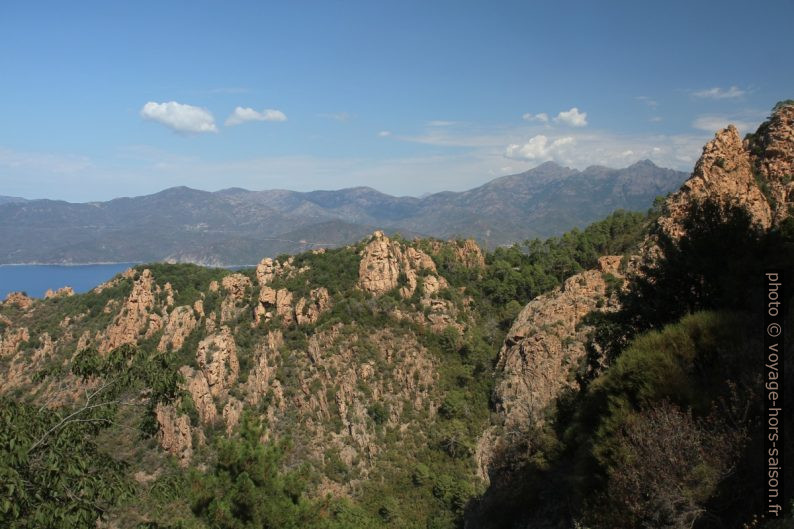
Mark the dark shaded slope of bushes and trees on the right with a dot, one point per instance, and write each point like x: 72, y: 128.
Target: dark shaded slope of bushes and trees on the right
x: 668, y: 435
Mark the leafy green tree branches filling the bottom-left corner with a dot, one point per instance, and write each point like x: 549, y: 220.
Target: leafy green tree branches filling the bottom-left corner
x: 52, y: 473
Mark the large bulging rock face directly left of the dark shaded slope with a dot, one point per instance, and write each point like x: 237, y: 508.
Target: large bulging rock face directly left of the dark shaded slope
x: 546, y: 342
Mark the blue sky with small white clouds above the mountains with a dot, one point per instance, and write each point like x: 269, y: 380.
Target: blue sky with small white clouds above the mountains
x: 106, y: 99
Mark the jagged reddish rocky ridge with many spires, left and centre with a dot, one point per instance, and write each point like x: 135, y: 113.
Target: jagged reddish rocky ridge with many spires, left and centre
x: 236, y: 355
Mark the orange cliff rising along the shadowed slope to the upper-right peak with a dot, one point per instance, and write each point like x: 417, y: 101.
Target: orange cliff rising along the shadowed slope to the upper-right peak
x: 546, y: 341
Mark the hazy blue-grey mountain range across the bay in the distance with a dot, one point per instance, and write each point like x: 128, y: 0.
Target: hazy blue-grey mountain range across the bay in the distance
x: 237, y: 226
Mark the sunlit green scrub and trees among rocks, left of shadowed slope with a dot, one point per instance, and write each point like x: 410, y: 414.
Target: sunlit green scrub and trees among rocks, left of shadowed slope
x: 426, y: 483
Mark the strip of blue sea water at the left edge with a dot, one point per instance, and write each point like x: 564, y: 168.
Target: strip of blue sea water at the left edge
x: 36, y: 279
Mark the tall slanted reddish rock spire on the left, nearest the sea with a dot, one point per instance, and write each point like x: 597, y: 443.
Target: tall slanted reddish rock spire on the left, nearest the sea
x: 133, y: 319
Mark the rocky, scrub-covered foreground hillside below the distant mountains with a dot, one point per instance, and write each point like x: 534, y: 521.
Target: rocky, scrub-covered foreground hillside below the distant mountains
x: 608, y: 378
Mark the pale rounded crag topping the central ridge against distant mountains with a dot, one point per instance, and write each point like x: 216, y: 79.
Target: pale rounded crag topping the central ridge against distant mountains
x: 387, y: 264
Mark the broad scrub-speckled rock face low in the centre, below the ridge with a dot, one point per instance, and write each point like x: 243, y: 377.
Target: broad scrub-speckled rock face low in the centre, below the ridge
x: 341, y: 375
